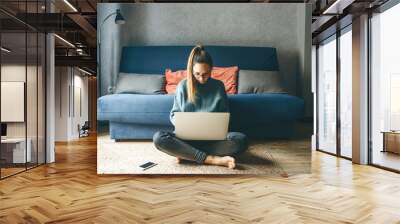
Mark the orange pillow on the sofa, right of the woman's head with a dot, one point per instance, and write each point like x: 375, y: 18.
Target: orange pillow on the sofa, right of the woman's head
x: 228, y: 75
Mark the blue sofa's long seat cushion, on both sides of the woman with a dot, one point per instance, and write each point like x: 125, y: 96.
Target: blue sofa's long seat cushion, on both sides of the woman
x: 246, y: 109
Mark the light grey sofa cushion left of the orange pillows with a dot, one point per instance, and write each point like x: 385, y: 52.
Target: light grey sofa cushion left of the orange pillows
x: 140, y: 83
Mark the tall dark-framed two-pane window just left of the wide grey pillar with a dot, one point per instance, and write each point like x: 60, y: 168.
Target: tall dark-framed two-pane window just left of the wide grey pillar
x: 334, y: 94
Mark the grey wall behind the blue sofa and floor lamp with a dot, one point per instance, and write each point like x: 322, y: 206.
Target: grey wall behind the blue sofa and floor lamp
x: 284, y: 26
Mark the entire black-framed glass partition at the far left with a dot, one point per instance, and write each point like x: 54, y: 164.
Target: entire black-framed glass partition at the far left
x: 22, y: 88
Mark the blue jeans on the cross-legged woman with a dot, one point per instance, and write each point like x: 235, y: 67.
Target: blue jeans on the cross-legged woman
x: 197, y: 151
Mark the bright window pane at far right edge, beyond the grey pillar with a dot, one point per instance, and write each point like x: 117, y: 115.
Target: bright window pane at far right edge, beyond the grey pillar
x: 385, y: 84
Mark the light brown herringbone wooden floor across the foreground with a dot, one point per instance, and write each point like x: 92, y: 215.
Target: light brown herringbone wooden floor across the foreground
x: 69, y: 191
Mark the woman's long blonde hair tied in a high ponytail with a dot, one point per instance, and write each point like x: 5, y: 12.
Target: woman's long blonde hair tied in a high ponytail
x: 197, y: 55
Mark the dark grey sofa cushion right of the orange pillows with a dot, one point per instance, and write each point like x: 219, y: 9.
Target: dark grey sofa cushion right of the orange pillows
x: 258, y: 81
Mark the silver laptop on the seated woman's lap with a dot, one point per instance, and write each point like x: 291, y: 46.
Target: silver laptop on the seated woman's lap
x: 201, y: 125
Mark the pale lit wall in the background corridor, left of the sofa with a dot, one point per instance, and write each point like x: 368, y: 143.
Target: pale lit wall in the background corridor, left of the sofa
x: 69, y: 82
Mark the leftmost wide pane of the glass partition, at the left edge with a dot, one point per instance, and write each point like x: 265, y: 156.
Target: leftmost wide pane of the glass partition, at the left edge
x: 13, y: 94
